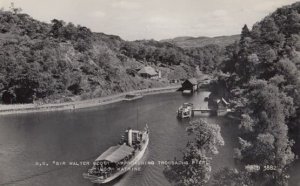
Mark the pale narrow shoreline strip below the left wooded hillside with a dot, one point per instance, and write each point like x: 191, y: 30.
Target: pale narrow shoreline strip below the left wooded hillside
x: 33, y: 108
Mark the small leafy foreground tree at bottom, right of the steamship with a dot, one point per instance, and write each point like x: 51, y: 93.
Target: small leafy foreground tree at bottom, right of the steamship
x: 197, y: 167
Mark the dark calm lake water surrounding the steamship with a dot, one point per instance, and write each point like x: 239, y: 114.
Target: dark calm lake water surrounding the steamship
x: 82, y: 135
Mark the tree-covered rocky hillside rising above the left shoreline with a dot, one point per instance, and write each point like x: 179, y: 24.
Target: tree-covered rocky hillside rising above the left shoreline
x: 61, y: 61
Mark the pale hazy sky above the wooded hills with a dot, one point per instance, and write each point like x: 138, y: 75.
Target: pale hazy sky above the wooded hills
x: 153, y: 19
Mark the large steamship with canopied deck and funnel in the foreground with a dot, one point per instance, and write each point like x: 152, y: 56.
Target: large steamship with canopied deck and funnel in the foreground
x: 118, y: 159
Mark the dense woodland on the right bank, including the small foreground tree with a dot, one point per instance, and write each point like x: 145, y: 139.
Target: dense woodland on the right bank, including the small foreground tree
x: 260, y: 75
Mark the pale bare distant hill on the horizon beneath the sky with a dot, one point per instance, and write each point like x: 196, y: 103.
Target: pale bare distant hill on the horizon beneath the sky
x: 192, y: 42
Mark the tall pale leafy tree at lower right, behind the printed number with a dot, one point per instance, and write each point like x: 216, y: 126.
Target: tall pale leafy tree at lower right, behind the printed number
x: 265, y: 133
